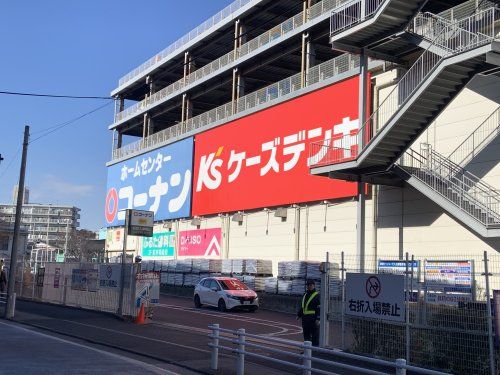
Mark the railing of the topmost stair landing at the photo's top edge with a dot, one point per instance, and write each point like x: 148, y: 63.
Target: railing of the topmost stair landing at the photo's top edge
x: 352, y: 13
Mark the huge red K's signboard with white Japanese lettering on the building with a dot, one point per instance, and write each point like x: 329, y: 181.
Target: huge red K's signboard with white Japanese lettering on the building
x: 261, y: 160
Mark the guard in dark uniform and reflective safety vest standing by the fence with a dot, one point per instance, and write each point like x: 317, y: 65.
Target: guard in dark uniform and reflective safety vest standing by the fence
x: 309, y: 312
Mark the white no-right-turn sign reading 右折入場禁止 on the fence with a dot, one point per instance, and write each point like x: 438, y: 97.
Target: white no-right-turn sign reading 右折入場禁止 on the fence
x: 378, y: 296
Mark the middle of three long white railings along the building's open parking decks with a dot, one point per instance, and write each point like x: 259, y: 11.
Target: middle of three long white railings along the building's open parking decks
x: 269, y: 36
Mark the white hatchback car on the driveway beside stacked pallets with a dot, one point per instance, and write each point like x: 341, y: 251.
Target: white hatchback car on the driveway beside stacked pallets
x: 225, y: 293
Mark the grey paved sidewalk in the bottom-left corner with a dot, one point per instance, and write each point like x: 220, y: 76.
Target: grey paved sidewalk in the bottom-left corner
x: 25, y: 351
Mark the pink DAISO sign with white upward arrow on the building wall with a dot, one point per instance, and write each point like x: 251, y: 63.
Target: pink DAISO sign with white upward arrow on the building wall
x: 200, y: 243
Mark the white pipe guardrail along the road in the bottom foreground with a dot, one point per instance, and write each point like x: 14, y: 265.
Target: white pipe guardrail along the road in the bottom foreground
x: 305, y: 360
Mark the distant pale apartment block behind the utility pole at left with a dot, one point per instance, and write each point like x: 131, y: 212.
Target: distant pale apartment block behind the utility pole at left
x: 47, y: 223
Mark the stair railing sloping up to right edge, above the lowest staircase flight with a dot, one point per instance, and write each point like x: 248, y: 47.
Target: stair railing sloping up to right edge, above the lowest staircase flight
x: 478, y: 140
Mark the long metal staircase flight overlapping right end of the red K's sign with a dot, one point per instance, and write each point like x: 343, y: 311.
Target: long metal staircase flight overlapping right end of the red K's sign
x: 458, y: 51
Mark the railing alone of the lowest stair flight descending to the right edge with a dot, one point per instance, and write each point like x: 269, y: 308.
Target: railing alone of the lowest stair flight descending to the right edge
x: 459, y: 186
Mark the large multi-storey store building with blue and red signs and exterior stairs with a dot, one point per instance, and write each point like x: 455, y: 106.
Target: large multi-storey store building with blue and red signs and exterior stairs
x: 283, y: 129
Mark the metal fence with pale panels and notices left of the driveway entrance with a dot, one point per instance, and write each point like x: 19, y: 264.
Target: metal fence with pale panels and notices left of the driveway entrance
x: 55, y: 283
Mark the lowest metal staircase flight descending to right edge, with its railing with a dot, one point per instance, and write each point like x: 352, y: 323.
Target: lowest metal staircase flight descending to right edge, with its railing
x: 462, y: 194
